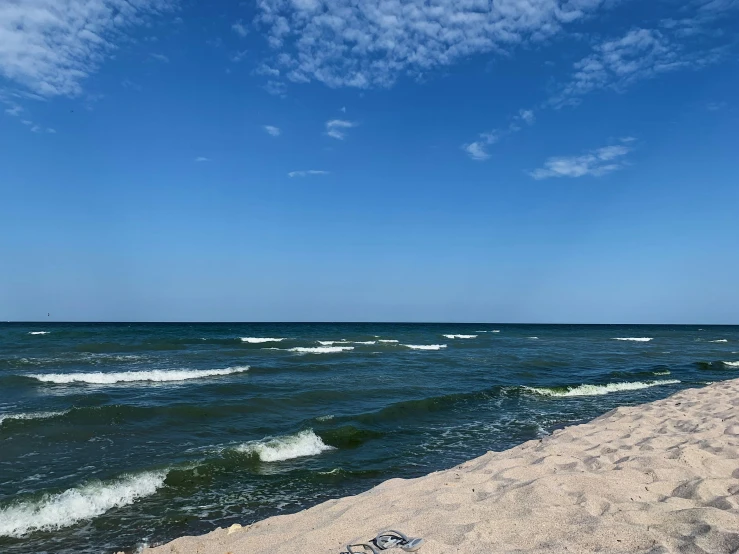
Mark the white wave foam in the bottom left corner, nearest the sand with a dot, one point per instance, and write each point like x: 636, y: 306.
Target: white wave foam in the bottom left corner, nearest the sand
x: 55, y: 511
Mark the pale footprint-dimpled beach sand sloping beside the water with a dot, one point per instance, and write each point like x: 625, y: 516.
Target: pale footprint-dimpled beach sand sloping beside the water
x: 661, y: 477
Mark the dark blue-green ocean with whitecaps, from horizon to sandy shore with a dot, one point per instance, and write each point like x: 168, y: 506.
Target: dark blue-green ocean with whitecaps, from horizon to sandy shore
x: 117, y: 435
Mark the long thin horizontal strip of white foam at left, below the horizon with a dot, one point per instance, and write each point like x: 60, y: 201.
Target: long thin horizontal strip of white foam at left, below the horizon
x: 156, y: 375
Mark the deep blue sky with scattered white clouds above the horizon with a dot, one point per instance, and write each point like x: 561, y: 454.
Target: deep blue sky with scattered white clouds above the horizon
x: 514, y: 160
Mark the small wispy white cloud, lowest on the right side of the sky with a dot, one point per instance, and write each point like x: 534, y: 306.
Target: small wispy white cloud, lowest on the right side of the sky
x: 594, y: 163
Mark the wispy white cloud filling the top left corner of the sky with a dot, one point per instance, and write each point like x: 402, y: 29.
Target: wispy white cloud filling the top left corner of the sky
x: 49, y: 47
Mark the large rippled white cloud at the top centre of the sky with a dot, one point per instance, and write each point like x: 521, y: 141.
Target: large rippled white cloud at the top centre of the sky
x: 371, y: 43
